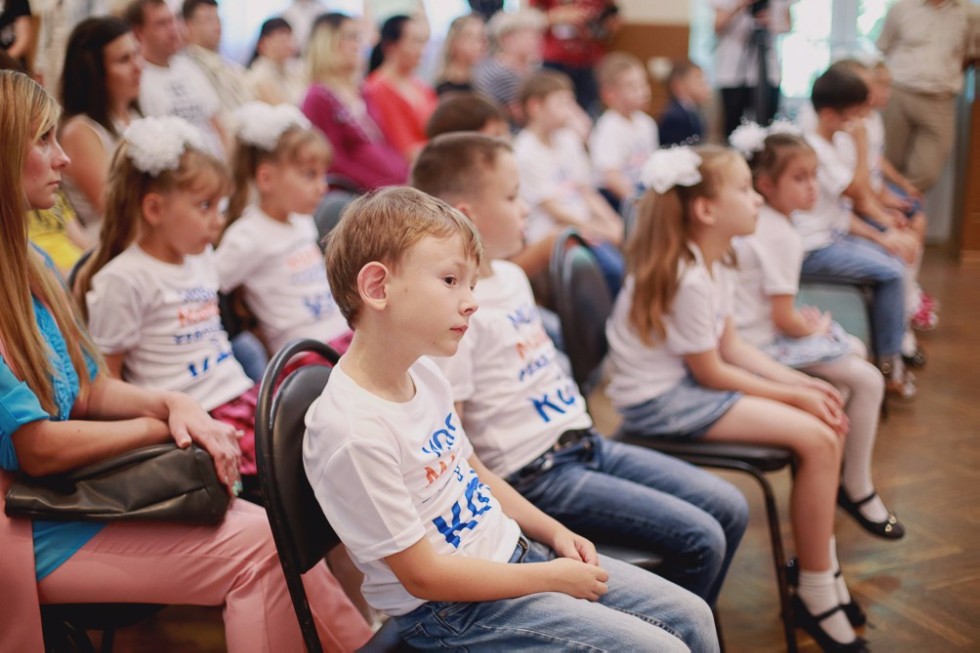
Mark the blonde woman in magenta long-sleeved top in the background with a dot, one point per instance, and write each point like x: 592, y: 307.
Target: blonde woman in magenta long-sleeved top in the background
x: 335, y: 104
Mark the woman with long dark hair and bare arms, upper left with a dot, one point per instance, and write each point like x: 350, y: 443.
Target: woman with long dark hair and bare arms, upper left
x: 99, y: 88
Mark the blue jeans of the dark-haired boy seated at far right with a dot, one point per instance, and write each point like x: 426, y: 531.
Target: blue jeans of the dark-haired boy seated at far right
x: 853, y: 259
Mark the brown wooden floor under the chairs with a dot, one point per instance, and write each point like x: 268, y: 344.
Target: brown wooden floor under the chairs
x: 921, y: 593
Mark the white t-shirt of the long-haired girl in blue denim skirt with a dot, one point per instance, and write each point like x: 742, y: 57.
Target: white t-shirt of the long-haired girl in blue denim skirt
x: 694, y: 324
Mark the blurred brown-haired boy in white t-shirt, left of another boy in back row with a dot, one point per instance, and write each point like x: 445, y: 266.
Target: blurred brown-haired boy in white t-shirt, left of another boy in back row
x: 556, y: 174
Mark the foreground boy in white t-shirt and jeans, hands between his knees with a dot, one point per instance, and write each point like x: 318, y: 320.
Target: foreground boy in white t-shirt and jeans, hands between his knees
x: 391, y: 466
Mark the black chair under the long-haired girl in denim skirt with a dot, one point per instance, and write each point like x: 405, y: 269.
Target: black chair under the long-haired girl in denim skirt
x: 583, y: 304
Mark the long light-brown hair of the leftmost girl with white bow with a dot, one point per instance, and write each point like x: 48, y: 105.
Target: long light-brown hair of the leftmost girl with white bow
x: 127, y: 187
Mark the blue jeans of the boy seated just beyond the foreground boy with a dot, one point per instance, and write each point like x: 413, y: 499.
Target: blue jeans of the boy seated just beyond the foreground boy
x: 630, y: 496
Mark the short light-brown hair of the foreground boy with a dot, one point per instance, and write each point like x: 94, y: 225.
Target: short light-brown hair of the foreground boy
x: 382, y: 226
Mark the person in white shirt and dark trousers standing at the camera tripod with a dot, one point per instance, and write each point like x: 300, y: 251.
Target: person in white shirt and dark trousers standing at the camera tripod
x: 745, y: 53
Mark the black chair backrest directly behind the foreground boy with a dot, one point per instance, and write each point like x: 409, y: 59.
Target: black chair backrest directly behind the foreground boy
x: 301, y: 532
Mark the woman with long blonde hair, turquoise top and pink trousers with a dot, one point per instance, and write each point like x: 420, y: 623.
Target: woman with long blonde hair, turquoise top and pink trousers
x: 59, y: 410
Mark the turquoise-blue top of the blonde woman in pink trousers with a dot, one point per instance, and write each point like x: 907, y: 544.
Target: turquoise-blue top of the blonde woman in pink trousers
x: 54, y: 542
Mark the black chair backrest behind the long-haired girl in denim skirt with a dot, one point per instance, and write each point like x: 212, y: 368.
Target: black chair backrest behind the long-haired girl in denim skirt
x: 583, y: 303
